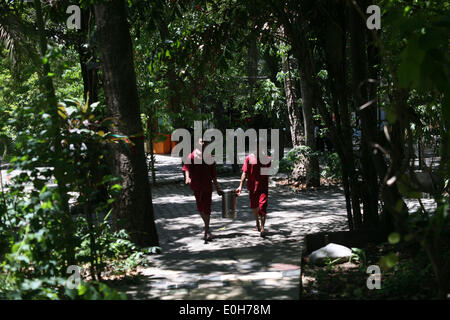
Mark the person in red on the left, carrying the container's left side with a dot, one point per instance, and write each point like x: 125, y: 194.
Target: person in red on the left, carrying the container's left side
x: 200, y: 178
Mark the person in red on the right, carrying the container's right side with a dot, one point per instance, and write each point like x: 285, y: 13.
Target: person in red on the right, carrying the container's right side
x: 258, y: 187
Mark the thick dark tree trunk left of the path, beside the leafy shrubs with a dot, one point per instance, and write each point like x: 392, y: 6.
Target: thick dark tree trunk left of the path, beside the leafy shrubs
x: 134, y: 207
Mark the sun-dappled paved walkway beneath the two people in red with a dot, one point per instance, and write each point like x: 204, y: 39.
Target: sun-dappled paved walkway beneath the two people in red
x: 238, y: 263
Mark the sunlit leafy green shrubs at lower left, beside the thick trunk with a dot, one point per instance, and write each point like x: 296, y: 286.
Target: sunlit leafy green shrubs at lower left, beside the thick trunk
x: 40, y: 239
